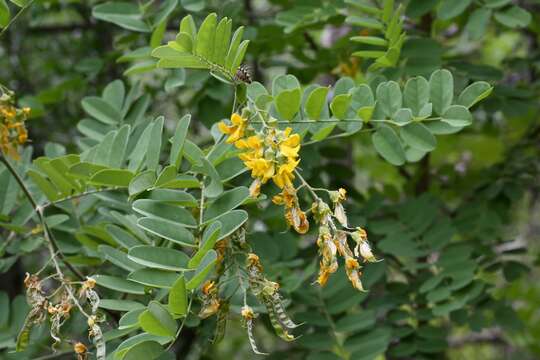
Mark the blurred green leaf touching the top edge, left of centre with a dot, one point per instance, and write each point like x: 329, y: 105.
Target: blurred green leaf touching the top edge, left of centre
x: 123, y: 14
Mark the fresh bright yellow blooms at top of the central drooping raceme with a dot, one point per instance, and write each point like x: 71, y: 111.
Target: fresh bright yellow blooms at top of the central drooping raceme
x: 270, y: 154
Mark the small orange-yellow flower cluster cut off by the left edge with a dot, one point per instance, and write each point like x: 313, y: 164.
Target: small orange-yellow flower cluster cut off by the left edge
x: 12, y: 129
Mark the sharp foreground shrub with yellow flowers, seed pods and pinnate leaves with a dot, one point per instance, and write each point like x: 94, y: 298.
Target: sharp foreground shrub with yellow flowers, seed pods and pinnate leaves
x: 176, y: 239
